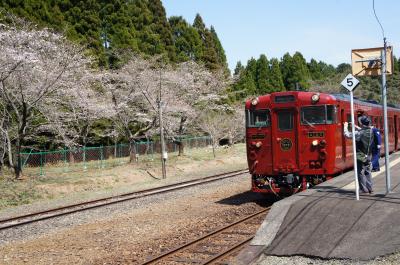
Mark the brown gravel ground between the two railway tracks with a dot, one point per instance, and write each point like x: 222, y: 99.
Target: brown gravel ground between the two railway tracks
x: 132, y: 231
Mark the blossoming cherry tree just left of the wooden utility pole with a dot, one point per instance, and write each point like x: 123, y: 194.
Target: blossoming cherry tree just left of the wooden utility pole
x: 127, y: 88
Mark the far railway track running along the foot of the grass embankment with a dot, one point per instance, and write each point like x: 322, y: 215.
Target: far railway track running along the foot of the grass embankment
x: 73, y: 208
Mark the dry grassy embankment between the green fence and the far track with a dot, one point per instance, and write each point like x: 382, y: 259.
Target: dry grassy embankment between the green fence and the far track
x: 143, y: 174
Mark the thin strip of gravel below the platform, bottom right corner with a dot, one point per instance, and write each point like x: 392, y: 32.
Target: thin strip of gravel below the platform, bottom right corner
x: 298, y: 260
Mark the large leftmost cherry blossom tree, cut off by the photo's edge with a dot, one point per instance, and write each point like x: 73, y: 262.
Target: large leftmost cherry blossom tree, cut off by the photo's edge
x: 37, y: 66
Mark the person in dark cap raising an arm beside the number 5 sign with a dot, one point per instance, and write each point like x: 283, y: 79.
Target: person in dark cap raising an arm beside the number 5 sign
x: 364, y: 140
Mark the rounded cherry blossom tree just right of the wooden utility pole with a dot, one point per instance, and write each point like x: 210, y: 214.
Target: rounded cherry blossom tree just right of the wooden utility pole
x: 192, y: 89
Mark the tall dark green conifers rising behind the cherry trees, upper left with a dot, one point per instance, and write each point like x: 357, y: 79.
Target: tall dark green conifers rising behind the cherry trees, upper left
x: 111, y: 28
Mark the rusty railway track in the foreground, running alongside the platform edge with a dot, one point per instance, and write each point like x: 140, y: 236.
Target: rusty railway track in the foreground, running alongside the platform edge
x: 215, y: 247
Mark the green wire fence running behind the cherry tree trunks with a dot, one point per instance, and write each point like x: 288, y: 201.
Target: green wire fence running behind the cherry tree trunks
x: 85, y: 158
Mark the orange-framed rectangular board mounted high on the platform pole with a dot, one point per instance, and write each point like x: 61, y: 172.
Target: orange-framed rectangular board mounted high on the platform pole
x: 367, y: 62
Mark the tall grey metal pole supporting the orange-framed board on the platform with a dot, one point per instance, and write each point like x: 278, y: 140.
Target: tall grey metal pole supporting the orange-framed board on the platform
x: 384, y: 103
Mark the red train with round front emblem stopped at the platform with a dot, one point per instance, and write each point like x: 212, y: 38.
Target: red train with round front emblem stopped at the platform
x: 295, y: 139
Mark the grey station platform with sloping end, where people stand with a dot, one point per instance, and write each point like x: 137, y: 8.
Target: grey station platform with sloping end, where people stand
x: 328, y: 222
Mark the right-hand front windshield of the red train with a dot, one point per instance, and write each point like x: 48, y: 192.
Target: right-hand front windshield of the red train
x: 323, y: 114
